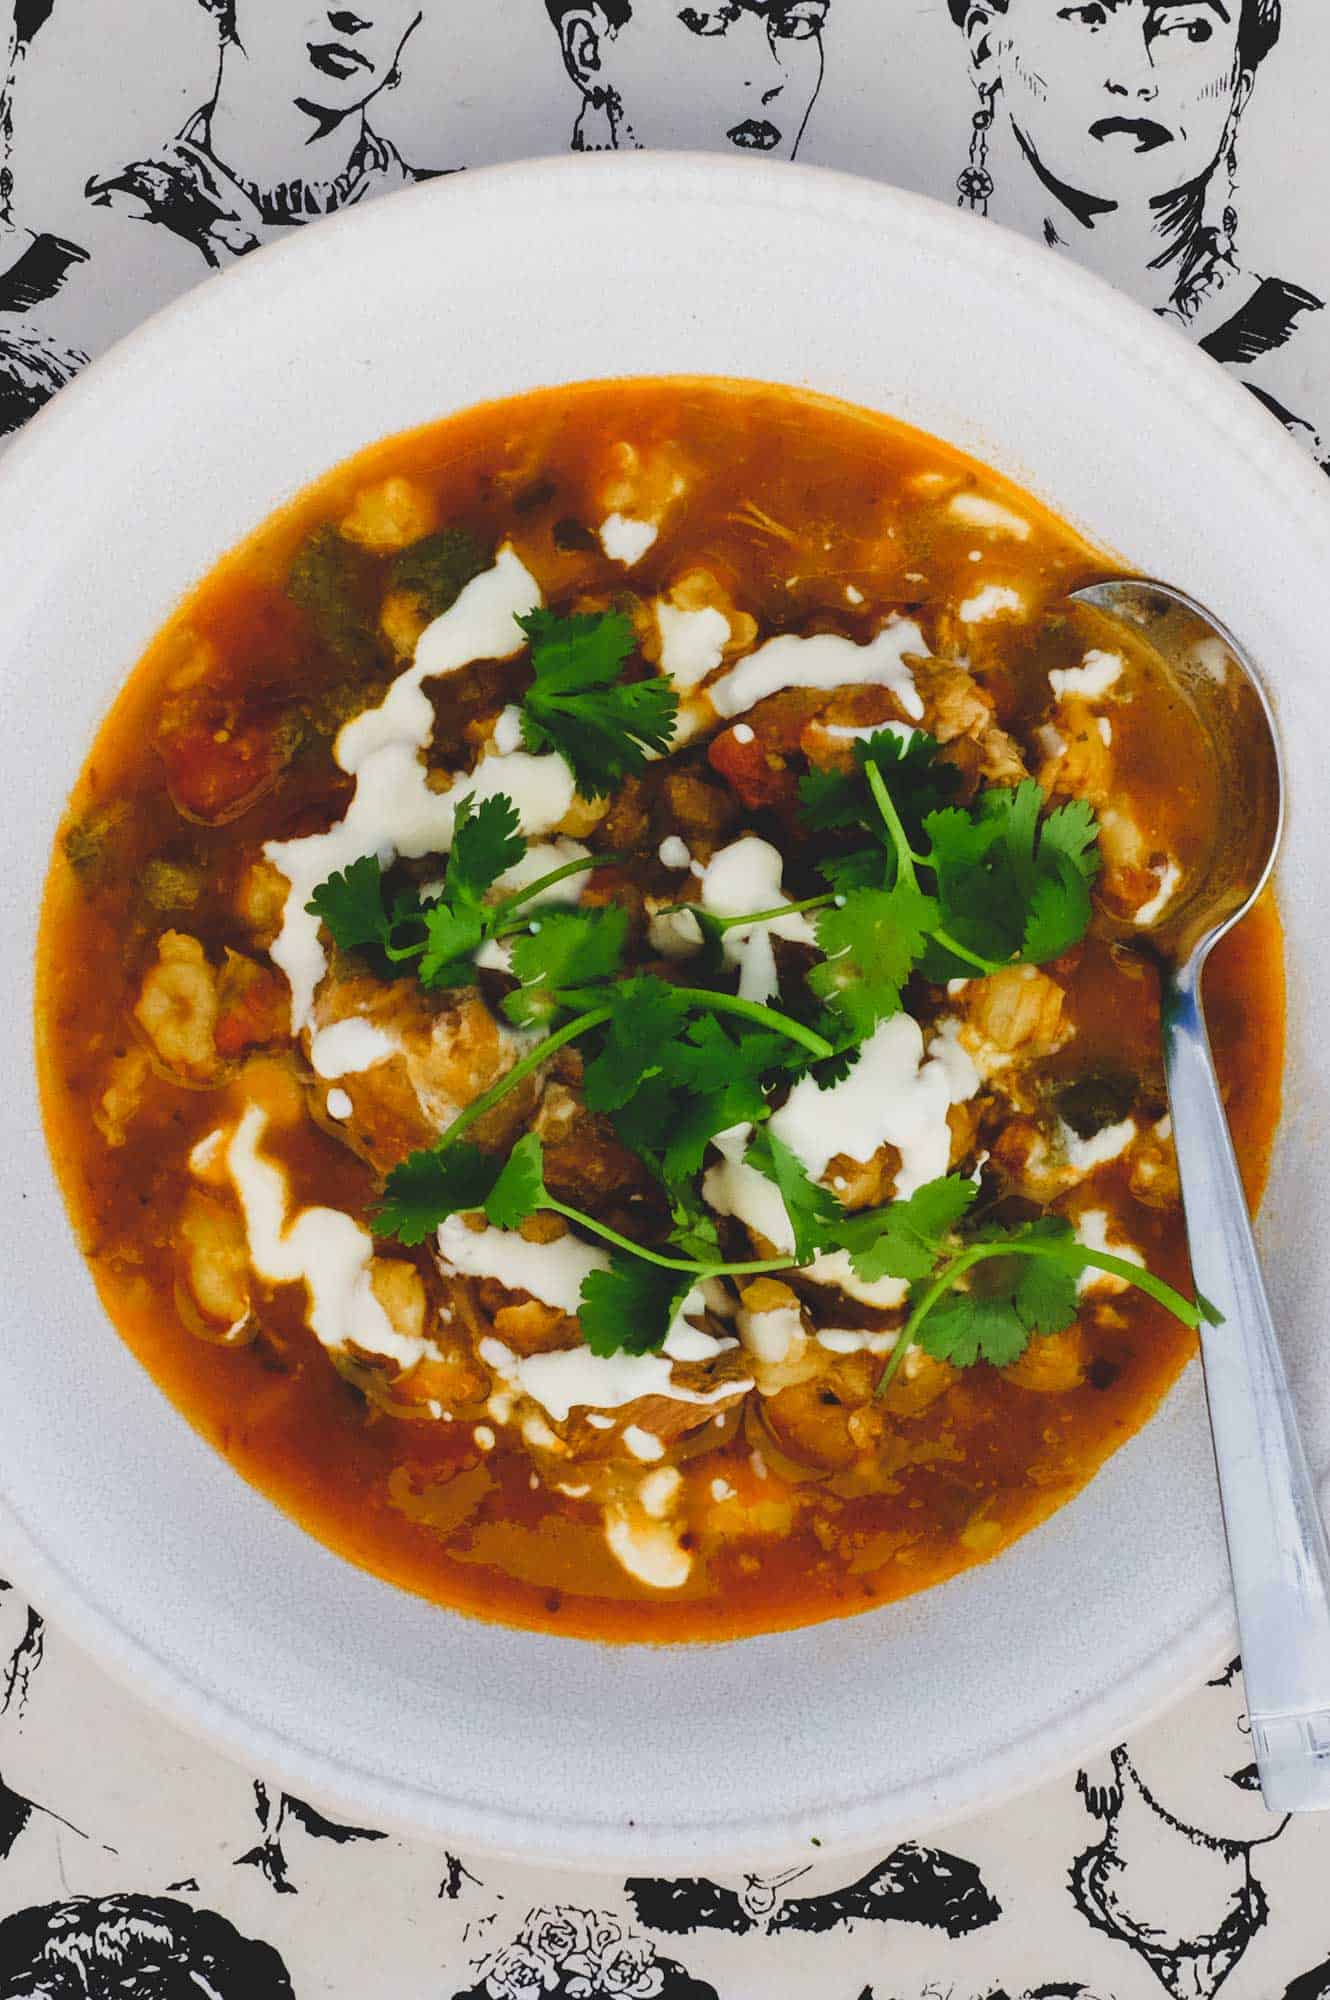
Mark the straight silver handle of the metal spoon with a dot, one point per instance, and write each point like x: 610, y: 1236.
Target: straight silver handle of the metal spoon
x: 1277, y: 1539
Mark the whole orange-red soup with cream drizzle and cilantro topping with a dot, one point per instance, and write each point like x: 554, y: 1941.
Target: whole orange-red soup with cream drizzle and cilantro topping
x: 593, y: 1021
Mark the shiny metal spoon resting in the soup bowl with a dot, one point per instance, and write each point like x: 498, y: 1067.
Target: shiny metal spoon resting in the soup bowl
x: 1277, y: 1539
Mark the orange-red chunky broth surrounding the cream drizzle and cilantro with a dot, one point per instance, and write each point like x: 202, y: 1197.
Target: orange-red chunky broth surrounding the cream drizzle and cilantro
x: 803, y: 1497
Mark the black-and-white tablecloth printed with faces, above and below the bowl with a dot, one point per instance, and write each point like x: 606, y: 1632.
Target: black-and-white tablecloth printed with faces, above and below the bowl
x: 1179, y: 147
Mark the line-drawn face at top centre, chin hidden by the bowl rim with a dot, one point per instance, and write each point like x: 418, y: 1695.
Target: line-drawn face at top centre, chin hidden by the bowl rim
x: 715, y: 75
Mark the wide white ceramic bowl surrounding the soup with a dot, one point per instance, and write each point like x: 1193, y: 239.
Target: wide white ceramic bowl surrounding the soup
x: 125, y: 1525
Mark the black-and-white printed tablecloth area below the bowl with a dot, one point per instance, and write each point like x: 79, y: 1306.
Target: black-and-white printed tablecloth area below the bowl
x: 139, y: 1863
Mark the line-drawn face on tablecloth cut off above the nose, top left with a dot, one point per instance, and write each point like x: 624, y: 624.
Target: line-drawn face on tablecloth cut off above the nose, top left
x: 331, y: 59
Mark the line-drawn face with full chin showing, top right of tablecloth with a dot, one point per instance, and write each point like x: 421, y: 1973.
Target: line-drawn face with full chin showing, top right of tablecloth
x: 1115, y: 99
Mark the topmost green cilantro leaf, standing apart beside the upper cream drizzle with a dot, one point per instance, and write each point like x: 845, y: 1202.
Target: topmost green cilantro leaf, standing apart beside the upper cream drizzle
x: 579, y: 705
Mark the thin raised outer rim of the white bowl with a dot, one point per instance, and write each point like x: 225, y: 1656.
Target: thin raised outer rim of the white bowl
x: 1271, y: 457
